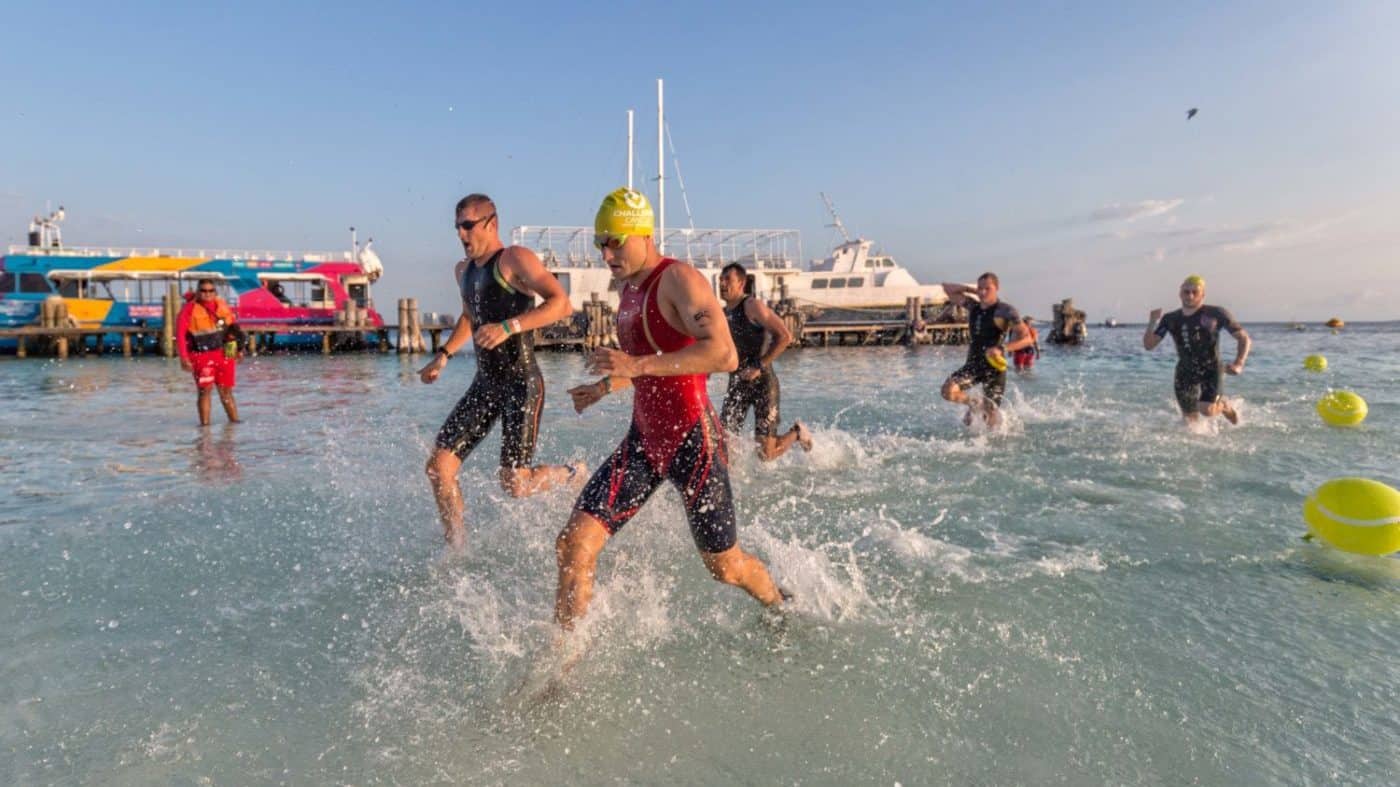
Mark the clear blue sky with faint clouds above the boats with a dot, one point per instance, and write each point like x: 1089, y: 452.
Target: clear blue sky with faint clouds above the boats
x: 1045, y: 142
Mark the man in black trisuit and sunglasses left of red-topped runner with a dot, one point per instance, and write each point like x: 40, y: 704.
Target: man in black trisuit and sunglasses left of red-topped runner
x: 499, y: 286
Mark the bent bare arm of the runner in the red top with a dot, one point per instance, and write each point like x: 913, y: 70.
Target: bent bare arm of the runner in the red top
x: 688, y: 303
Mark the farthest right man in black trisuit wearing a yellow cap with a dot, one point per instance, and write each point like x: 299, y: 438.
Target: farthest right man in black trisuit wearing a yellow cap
x: 1196, y: 330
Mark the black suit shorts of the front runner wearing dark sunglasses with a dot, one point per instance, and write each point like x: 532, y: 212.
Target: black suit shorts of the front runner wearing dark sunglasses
x: 516, y: 398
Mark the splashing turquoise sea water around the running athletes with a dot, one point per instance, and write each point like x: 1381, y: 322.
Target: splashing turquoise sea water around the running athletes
x: 1094, y: 594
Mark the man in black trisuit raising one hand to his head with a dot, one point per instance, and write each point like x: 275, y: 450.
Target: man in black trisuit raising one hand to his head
x: 989, y: 321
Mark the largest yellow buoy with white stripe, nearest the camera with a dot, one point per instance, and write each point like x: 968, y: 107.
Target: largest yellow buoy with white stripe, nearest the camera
x: 1356, y: 515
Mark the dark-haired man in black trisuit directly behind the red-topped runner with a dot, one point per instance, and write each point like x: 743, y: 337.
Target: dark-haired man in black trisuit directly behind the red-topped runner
x: 755, y: 384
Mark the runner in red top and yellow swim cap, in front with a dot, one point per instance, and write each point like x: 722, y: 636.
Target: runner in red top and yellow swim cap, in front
x: 673, y: 335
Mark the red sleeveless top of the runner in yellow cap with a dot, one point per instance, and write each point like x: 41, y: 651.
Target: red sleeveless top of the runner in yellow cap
x: 664, y: 408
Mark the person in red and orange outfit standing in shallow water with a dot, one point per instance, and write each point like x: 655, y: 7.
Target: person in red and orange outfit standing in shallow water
x: 206, y: 337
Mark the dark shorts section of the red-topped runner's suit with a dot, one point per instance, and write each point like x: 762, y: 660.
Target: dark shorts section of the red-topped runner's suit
x: 699, y: 471
